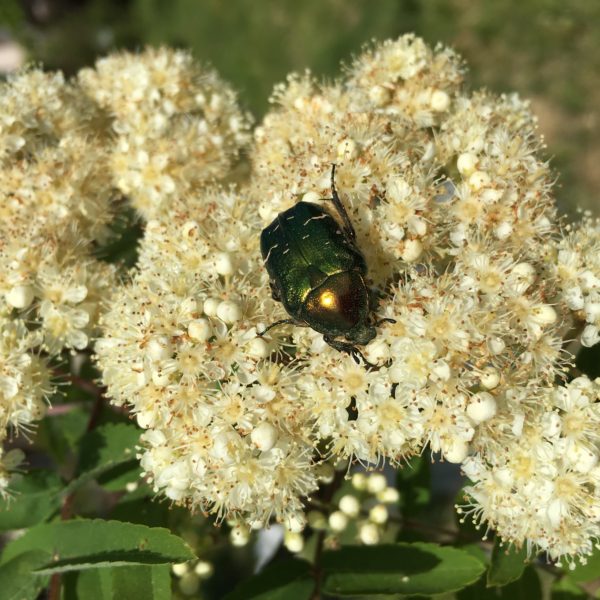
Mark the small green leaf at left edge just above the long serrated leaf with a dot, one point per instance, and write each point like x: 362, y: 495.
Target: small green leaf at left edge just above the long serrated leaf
x: 36, y: 496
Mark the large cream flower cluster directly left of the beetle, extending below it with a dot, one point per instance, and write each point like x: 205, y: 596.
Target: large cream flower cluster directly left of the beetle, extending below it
x: 180, y: 345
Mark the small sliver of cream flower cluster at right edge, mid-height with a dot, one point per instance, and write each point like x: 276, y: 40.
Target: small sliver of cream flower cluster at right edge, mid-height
x: 577, y: 269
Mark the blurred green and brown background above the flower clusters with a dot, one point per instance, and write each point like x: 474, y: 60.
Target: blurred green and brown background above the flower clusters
x: 546, y: 50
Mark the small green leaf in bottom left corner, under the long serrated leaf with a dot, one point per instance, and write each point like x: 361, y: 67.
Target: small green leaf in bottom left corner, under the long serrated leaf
x: 18, y: 580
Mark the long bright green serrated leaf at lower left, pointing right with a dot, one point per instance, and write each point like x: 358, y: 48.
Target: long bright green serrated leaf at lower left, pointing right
x: 93, y: 543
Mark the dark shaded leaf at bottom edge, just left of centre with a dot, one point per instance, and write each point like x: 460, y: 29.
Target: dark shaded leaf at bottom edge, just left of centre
x: 284, y: 580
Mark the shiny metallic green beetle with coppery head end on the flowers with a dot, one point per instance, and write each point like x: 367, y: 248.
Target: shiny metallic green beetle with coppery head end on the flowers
x: 318, y: 273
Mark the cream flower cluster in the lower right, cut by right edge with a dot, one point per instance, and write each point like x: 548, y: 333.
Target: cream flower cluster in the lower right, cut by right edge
x: 537, y: 478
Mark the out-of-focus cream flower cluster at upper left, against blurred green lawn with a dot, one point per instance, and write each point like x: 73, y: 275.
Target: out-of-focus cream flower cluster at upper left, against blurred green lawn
x: 178, y: 125
